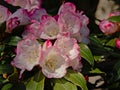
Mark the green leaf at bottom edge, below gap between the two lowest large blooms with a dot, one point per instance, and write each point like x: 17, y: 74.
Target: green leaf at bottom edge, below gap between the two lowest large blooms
x: 36, y: 82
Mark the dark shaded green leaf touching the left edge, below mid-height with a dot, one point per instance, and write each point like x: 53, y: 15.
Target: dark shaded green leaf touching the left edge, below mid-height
x: 6, y: 68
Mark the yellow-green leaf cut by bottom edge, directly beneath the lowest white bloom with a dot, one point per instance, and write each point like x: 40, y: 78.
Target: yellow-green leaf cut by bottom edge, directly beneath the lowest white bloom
x: 62, y: 84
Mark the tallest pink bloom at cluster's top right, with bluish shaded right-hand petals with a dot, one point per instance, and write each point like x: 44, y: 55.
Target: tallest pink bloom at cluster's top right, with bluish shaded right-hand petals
x: 73, y: 22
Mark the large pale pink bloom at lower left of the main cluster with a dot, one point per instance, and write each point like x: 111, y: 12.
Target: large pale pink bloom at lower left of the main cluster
x: 28, y: 54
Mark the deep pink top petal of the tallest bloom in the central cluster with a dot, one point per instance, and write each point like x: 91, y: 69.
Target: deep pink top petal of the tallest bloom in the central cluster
x: 65, y: 7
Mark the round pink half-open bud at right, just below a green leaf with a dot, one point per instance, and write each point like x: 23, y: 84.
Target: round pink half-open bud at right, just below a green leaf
x: 108, y: 27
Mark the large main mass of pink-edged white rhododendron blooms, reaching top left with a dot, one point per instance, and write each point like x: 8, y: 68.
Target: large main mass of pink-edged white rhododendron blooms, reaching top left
x: 61, y: 34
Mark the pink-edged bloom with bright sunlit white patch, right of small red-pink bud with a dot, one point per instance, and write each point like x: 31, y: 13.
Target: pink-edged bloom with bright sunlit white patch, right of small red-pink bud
x: 69, y: 47
